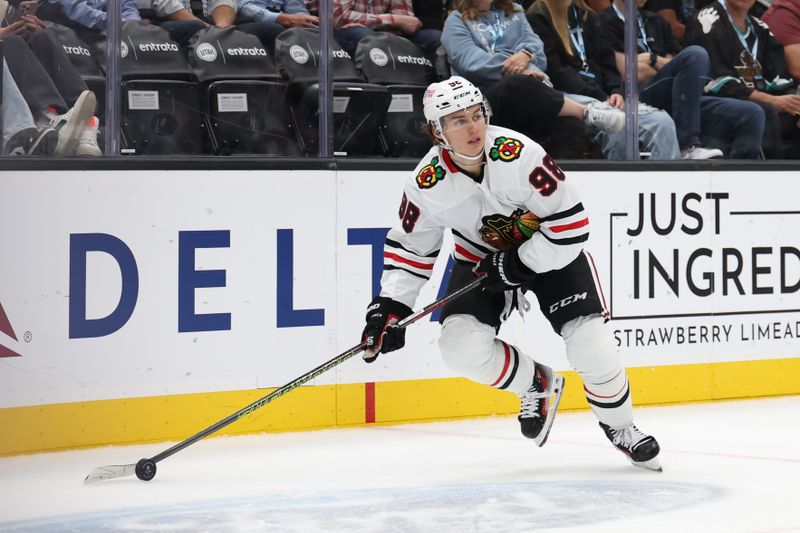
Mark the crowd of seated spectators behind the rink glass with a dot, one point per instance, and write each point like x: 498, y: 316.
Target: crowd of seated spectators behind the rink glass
x: 715, y: 78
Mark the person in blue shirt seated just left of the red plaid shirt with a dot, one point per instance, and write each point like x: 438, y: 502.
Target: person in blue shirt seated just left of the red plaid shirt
x: 274, y: 16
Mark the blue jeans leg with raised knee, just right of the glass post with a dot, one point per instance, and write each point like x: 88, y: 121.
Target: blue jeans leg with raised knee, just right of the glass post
x: 677, y: 89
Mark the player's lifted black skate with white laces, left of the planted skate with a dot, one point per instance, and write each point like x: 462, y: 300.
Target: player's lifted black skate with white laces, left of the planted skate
x: 540, y: 403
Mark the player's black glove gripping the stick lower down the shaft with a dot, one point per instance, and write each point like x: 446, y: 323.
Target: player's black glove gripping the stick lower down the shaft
x: 381, y: 332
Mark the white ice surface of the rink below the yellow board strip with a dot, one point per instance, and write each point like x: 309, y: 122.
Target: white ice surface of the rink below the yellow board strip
x: 728, y: 467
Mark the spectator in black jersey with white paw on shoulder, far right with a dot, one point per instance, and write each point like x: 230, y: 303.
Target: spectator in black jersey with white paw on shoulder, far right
x: 748, y: 66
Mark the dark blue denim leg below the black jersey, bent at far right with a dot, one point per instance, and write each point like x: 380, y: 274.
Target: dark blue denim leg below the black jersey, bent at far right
x: 734, y: 126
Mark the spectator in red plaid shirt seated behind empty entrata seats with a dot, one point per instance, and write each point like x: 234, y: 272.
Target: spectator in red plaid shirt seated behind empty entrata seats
x: 353, y: 19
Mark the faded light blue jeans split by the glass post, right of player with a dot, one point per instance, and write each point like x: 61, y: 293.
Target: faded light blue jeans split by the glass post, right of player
x: 656, y: 133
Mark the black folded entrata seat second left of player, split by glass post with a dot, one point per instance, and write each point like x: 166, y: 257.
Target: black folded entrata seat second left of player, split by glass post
x: 359, y: 108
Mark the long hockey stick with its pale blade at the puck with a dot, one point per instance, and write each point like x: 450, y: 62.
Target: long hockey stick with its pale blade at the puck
x: 145, y: 469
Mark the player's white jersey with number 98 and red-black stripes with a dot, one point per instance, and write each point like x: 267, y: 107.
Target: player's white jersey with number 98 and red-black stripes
x: 523, y: 199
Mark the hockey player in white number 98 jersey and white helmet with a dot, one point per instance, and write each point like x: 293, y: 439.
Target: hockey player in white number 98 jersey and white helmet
x: 515, y: 219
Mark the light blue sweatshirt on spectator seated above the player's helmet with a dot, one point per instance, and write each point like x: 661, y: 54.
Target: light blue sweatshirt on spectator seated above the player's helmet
x: 477, y: 48
